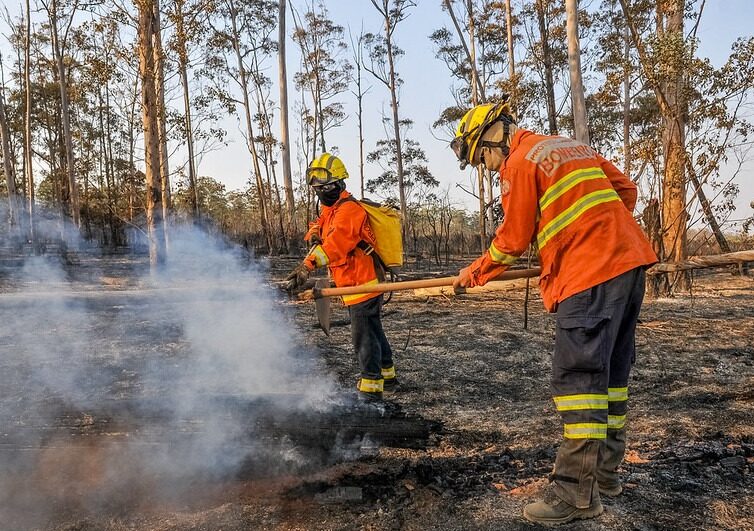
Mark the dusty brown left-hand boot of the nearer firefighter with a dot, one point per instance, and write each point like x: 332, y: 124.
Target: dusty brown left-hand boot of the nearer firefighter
x: 574, y: 492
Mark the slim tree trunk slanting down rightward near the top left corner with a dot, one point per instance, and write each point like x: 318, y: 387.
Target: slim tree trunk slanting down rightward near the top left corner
x: 65, y: 115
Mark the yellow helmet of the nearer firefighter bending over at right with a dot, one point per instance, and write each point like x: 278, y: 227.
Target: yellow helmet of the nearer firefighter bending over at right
x: 474, y: 124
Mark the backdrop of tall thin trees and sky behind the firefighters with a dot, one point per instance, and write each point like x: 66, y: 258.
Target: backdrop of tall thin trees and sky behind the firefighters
x: 120, y: 118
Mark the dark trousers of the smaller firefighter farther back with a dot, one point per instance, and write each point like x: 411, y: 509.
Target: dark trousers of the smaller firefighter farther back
x: 369, y: 341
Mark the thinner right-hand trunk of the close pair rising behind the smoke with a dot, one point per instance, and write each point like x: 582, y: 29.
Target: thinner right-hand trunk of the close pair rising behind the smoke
x: 159, y: 78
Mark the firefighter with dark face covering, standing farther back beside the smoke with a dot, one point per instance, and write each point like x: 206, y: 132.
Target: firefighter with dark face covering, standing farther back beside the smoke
x: 344, y: 241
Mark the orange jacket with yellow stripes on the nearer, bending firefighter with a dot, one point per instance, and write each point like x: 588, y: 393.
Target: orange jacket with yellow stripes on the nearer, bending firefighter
x: 576, y: 205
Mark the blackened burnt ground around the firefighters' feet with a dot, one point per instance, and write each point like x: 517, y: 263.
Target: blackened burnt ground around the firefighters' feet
x: 467, y: 362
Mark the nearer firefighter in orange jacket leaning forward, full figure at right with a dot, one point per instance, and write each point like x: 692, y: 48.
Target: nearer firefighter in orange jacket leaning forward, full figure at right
x: 577, y: 207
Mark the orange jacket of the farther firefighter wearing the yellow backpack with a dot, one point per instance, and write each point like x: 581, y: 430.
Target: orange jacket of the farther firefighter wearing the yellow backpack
x: 343, y: 226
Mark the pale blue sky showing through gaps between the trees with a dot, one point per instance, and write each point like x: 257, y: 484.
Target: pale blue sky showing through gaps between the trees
x: 426, y: 91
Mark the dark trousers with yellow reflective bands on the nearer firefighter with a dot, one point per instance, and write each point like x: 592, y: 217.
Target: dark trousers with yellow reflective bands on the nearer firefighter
x: 594, y: 350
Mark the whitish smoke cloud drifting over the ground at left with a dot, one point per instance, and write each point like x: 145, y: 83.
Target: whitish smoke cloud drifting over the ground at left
x: 172, y: 356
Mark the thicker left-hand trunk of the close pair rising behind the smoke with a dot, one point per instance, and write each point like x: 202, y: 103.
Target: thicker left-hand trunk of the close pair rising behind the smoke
x: 150, y: 118
